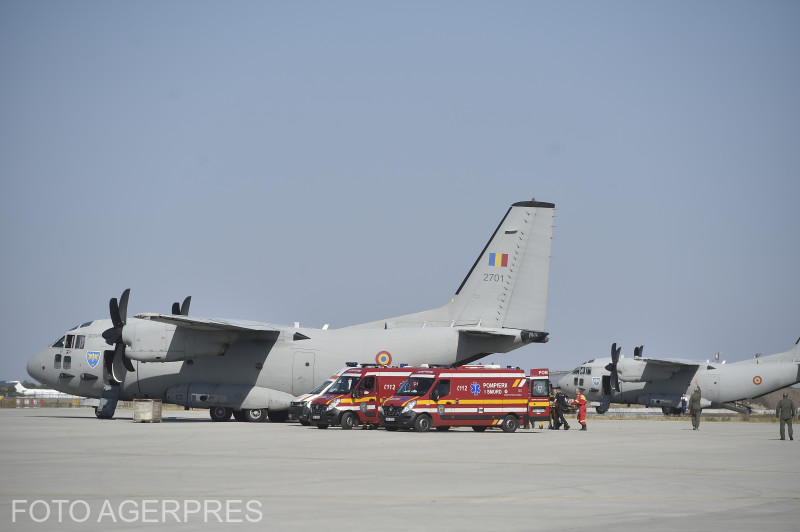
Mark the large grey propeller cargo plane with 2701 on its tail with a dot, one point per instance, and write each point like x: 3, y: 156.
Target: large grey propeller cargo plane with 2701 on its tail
x: 252, y: 370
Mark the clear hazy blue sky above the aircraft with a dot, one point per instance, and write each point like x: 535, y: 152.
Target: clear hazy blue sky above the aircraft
x: 342, y: 162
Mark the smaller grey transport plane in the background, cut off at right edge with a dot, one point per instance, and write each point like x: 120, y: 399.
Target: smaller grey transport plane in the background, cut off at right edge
x: 661, y: 382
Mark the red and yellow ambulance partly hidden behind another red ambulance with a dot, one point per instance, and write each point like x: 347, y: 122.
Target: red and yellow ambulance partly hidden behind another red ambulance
x: 356, y: 396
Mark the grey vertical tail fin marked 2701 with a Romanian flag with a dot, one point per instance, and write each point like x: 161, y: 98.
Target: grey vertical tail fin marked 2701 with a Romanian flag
x: 507, y: 285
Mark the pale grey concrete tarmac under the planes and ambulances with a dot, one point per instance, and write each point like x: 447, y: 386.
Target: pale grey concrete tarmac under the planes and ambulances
x: 627, y: 475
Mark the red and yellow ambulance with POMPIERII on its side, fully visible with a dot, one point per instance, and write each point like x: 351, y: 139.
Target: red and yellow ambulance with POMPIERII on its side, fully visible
x: 473, y: 396
